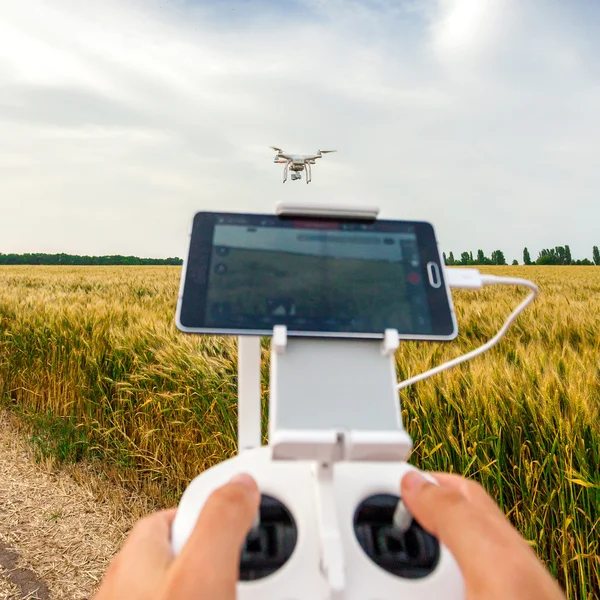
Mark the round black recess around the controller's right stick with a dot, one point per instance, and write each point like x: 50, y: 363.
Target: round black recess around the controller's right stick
x: 413, y: 553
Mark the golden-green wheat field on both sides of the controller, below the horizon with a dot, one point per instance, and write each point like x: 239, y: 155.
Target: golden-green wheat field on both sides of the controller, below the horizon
x: 91, y: 359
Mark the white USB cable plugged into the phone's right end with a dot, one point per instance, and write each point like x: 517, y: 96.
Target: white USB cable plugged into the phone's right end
x: 472, y: 279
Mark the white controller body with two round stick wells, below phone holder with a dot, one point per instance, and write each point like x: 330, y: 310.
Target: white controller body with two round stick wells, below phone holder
x: 316, y: 546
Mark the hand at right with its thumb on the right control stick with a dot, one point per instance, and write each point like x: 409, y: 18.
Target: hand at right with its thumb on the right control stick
x: 495, y: 561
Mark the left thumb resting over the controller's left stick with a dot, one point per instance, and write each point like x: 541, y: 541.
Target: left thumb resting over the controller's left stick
x: 208, y: 565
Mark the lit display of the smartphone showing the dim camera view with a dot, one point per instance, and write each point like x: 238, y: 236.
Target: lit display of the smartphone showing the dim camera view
x: 320, y: 277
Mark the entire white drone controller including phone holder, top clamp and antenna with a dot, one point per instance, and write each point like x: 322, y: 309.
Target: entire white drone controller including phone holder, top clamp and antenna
x: 330, y: 526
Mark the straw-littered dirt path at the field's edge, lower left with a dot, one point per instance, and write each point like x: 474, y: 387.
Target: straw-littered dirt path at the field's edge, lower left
x: 58, y: 528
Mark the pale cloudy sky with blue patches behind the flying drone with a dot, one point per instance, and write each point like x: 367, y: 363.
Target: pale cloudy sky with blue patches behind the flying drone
x: 120, y: 119
